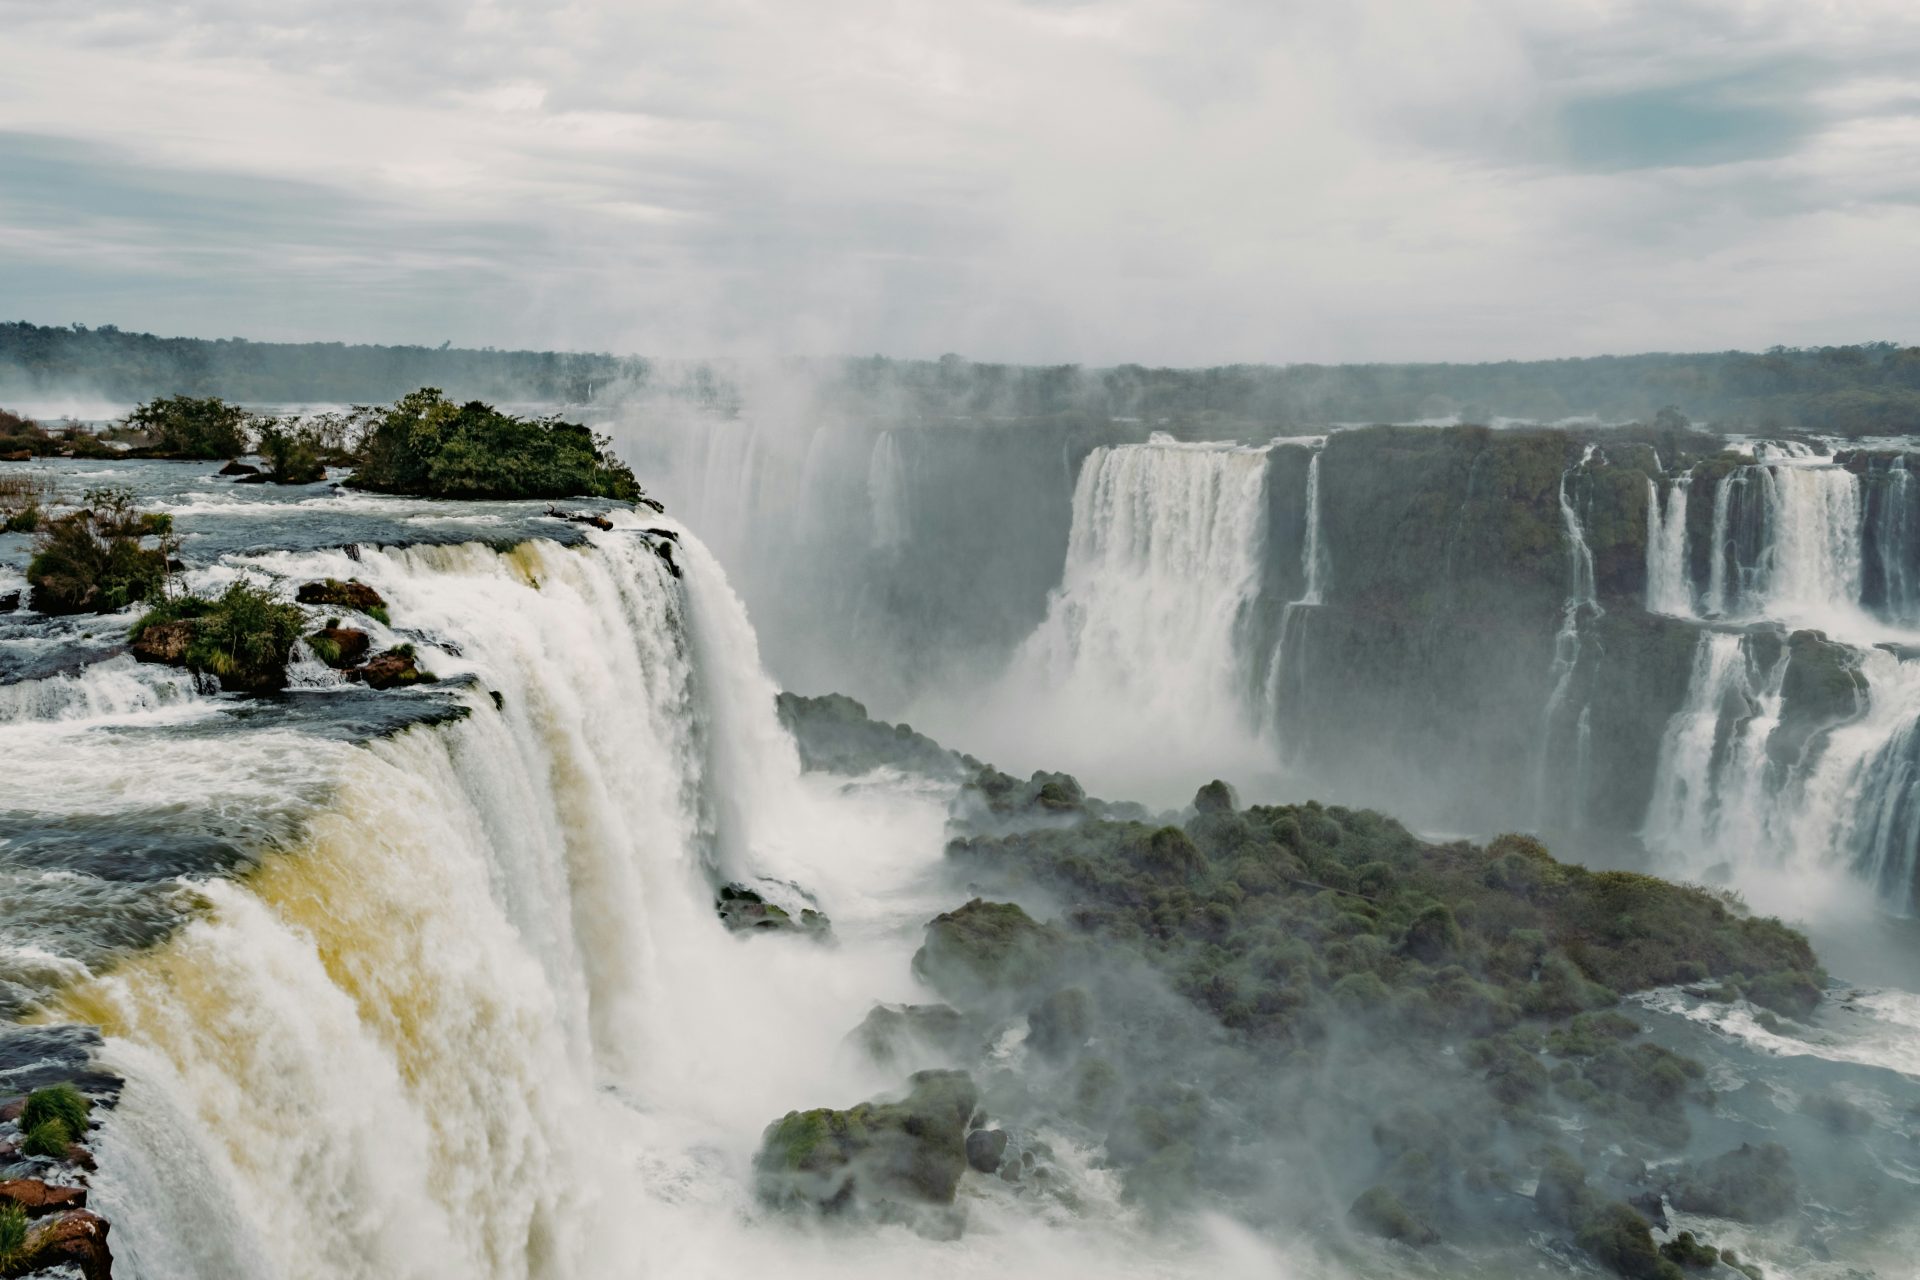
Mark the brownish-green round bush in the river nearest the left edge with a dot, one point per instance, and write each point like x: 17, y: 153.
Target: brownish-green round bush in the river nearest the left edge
x: 97, y: 559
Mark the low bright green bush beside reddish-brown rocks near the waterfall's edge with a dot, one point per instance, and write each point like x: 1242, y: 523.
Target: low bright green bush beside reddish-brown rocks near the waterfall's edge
x: 245, y: 636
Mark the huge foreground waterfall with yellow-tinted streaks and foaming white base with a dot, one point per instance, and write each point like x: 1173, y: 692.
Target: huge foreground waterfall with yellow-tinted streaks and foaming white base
x: 479, y: 1018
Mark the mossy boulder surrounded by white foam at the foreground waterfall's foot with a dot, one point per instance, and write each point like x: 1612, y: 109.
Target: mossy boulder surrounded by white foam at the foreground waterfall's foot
x: 878, y: 1156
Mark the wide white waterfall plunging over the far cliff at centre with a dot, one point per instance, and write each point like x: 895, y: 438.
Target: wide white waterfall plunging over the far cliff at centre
x: 1141, y: 657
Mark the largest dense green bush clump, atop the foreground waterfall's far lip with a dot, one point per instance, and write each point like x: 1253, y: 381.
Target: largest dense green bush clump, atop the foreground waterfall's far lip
x: 433, y: 448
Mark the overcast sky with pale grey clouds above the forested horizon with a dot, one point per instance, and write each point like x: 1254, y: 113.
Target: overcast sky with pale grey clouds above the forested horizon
x: 1163, y: 181
